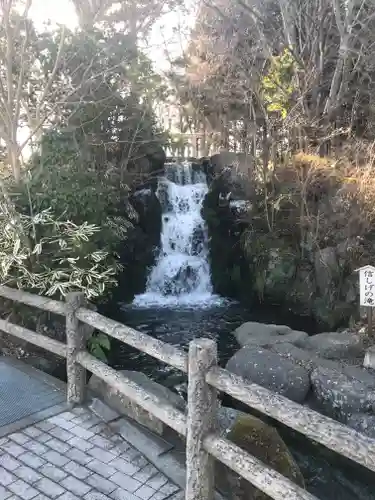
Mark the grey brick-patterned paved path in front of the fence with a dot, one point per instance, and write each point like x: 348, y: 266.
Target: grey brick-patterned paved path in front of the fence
x: 75, y: 456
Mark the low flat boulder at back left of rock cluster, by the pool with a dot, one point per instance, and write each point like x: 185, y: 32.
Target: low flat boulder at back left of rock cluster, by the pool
x: 252, y: 333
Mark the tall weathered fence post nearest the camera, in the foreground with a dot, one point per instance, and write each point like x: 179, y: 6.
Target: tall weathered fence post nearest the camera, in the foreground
x: 201, y: 420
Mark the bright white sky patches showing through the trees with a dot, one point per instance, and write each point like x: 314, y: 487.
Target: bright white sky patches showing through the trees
x: 168, y: 38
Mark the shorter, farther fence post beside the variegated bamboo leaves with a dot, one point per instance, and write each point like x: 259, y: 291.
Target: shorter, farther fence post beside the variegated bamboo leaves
x: 76, y: 341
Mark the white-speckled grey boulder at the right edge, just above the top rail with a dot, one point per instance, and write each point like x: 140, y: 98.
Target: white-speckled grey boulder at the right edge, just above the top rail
x: 341, y: 395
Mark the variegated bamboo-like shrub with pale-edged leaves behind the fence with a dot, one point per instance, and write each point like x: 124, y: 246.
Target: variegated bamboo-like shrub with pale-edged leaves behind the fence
x: 52, y: 257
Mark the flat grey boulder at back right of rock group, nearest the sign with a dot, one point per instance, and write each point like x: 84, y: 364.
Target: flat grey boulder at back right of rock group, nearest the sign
x: 334, y: 345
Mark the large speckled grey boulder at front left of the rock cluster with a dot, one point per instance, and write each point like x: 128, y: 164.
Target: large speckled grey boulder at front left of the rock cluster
x: 270, y: 370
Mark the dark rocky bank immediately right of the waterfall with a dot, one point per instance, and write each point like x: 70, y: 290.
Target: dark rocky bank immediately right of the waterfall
x: 252, y: 262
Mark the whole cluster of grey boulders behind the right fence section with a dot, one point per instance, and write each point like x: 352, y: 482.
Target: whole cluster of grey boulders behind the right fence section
x: 318, y: 370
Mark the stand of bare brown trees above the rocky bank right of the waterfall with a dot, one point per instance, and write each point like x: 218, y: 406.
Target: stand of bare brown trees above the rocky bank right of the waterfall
x: 330, y: 45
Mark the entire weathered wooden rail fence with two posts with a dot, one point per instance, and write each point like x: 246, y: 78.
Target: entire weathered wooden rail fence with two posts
x: 203, y: 444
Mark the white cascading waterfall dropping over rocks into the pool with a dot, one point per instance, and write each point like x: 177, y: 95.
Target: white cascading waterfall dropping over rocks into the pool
x: 181, y: 275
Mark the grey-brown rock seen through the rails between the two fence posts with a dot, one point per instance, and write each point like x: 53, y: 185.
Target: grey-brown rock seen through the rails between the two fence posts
x: 126, y: 406
